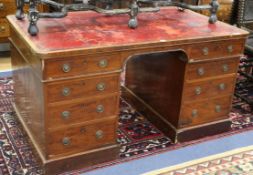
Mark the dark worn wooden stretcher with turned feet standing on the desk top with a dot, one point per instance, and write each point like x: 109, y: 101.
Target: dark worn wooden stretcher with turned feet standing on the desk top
x: 134, y: 9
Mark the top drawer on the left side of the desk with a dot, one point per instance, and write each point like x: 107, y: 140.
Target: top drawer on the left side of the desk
x: 81, y: 65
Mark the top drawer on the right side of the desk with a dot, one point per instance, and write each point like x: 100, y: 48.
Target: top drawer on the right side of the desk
x: 216, y: 49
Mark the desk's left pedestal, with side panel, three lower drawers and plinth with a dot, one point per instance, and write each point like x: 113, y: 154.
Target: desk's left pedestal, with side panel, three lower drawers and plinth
x: 71, y: 121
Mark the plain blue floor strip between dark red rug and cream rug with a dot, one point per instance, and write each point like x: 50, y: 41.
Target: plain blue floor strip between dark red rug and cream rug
x: 178, y: 156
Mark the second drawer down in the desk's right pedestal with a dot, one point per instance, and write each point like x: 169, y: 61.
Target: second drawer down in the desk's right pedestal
x: 209, y: 69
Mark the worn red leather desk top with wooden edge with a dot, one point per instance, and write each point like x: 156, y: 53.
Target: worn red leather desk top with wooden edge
x: 87, y: 30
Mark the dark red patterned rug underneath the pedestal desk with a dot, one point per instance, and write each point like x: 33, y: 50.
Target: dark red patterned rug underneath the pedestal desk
x: 137, y: 136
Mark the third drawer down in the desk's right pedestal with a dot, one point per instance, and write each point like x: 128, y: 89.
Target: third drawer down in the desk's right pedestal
x: 209, y: 88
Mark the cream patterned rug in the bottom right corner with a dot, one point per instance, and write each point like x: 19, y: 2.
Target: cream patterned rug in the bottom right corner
x: 236, y: 162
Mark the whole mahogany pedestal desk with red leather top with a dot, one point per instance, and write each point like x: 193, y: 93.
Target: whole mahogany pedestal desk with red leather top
x: 180, y: 71
